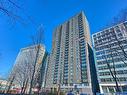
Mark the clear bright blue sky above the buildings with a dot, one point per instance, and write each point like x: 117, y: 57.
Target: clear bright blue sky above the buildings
x: 50, y: 13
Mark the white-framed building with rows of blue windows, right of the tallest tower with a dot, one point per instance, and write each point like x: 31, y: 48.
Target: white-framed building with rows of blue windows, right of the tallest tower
x: 111, y: 52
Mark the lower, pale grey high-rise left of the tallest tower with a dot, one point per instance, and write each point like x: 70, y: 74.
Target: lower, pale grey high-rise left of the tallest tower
x: 25, y: 63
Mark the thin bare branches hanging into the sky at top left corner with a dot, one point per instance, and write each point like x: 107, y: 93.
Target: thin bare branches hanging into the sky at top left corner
x: 15, y: 12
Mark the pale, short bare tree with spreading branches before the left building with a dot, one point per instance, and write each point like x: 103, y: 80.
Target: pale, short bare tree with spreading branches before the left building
x: 22, y: 71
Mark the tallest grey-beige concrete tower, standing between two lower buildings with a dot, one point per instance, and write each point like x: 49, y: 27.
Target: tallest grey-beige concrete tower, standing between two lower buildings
x: 71, y: 64
